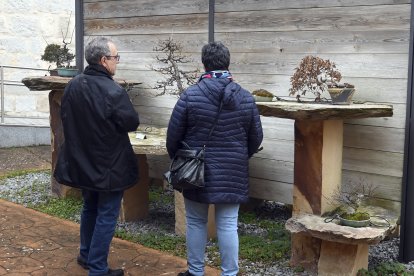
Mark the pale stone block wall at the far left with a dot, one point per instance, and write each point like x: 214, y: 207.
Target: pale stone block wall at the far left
x: 26, y: 27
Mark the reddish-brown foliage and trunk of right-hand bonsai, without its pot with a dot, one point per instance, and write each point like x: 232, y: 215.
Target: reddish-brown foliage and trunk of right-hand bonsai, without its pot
x: 313, y: 75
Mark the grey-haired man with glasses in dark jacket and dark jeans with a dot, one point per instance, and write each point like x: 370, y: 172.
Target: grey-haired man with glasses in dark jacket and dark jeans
x: 97, y: 156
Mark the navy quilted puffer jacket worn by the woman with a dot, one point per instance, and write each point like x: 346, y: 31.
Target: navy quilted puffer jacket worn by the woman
x: 236, y: 137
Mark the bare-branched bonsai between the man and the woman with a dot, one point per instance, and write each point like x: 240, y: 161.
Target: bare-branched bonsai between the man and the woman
x: 172, y: 58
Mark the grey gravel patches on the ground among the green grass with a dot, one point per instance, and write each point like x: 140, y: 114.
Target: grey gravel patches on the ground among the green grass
x: 34, y: 189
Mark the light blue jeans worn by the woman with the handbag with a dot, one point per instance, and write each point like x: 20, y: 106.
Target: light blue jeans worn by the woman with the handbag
x: 226, y: 225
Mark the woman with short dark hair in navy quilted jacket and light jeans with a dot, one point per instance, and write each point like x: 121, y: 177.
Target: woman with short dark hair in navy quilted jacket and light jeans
x: 236, y: 137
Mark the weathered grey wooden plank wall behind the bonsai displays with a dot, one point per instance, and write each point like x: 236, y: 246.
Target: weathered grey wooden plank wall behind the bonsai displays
x: 368, y: 41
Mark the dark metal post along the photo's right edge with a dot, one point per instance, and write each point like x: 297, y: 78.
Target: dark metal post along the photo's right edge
x: 407, y: 195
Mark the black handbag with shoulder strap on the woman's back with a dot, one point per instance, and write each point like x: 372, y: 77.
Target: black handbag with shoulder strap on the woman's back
x: 187, y: 167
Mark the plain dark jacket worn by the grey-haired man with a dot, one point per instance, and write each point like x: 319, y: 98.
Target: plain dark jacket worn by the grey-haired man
x: 97, y: 115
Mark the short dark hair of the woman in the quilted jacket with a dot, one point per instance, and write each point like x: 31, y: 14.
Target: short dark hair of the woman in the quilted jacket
x: 215, y: 56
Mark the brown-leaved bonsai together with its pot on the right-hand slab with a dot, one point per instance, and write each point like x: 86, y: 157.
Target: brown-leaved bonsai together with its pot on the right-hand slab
x: 316, y: 75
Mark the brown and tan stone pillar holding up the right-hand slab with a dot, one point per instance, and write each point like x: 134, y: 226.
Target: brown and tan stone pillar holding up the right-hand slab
x: 317, y: 174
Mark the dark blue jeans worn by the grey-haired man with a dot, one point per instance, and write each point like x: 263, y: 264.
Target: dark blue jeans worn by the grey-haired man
x: 98, y: 220
